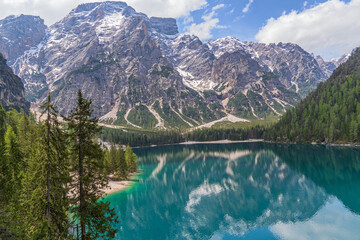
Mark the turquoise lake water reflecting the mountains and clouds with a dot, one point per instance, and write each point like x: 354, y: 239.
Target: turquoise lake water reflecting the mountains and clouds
x: 242, y: 191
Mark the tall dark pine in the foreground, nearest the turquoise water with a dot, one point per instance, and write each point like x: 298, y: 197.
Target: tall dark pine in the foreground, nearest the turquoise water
x: 93, y: 215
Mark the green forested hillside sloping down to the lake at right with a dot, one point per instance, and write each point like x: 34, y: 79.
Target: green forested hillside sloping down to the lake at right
x: 329, y: 114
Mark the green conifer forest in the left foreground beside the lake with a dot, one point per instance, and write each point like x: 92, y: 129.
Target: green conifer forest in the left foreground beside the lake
x: 52, y: 175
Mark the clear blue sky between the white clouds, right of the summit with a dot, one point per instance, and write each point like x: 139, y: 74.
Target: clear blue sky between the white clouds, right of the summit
x: 245, y: 25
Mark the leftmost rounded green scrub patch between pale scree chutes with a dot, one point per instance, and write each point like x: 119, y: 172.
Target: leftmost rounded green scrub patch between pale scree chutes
x: 142, y: 117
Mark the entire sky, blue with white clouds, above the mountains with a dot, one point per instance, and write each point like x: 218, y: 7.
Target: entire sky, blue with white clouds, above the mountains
x: 329, y: 28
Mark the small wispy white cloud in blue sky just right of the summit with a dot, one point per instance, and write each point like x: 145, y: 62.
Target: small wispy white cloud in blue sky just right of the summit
x: 203, y: 29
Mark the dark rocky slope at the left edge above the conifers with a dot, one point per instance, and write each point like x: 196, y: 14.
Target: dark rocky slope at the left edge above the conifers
x: 11, y: 88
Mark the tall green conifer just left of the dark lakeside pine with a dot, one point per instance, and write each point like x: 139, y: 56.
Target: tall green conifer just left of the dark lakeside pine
x: 48, y: 175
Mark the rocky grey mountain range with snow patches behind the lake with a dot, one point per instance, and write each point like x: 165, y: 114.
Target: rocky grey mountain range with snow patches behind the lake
x: 142, y: 72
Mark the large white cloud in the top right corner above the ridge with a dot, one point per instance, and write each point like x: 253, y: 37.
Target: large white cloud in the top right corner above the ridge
x: 329, y: 29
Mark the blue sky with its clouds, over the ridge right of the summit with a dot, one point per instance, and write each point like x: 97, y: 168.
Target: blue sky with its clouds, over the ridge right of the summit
x: 329, y: 28
